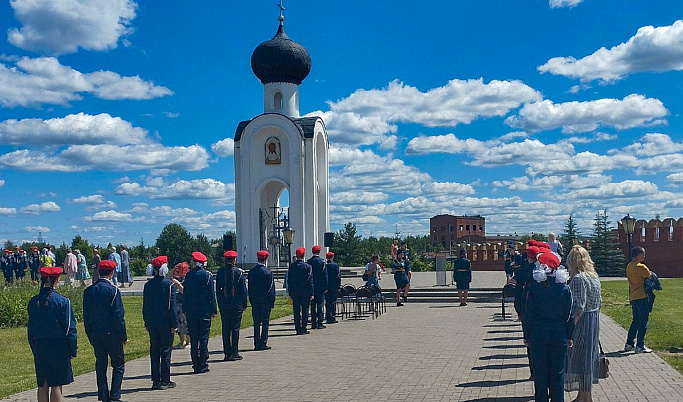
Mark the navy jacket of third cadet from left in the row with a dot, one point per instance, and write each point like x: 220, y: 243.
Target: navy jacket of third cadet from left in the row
x: 158, y: 304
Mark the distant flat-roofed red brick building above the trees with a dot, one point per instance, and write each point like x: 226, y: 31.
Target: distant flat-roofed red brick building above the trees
x: 447, y: 230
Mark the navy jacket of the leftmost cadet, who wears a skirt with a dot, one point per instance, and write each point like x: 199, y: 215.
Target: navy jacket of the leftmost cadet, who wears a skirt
x: 54, y: 321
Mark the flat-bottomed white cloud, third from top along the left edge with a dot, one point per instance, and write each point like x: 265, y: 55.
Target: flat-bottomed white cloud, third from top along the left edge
x: 73, y: 129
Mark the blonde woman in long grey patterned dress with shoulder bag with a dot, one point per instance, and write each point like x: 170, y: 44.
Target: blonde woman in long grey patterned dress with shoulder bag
x: 583, y: 360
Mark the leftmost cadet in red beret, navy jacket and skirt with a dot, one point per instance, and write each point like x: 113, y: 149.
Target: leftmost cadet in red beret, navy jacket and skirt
x: 52, y: 336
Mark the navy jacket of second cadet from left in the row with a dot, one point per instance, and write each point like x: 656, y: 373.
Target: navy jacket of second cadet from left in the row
x: 103, y: 310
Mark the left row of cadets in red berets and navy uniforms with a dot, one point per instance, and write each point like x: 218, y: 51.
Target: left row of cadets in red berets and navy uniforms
x: 52, y: 325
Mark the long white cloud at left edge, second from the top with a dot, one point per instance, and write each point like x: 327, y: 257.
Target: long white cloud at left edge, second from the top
x: 44, y: 80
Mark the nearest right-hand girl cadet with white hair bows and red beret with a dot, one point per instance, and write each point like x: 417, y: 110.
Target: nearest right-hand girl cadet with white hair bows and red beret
x: 548, y: 324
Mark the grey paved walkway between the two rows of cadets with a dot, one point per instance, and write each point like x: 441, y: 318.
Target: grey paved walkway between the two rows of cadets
x: 420, y: 352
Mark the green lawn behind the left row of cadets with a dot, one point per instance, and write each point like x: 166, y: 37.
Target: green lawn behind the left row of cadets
x: 16, y: 359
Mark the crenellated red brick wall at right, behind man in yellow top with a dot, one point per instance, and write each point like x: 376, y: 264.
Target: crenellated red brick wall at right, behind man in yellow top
x: 663, y: 241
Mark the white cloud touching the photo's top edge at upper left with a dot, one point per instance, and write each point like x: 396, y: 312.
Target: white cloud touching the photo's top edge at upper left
x: 60, y: 27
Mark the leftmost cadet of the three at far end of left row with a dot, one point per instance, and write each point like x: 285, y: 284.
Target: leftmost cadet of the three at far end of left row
x: 300, y: 285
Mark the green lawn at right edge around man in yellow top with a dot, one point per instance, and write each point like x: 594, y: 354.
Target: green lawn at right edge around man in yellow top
x: 665, y: 330
